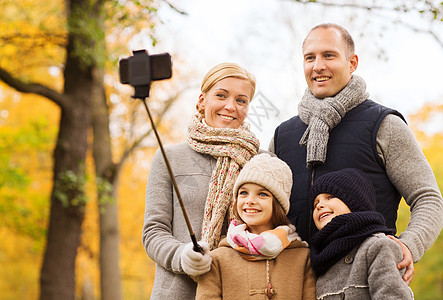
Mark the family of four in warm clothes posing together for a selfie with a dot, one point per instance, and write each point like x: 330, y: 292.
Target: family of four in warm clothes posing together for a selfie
x: 313, y: 217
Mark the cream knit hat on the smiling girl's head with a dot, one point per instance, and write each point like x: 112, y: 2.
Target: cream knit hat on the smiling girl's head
x: 270, y: 172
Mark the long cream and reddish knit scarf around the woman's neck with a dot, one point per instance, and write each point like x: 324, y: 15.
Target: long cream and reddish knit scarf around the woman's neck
x: 232, y: 148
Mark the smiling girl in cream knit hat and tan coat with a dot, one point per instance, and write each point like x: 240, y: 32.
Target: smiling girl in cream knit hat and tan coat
x: 262, y: 256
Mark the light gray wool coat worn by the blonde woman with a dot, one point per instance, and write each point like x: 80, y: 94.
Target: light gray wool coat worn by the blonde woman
x: 164, y: 231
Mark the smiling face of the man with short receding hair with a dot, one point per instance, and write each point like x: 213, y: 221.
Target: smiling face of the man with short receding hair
x: 327, y: 65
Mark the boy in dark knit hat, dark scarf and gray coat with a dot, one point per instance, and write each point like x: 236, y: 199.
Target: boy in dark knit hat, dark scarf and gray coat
x: 351, y: 254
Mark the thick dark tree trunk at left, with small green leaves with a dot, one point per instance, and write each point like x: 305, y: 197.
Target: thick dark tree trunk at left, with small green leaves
x: 67, y: 197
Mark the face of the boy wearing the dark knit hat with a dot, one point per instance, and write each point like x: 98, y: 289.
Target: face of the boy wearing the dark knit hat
x: 326, y: 207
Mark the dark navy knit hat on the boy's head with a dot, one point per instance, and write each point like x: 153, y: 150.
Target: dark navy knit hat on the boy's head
x: 351, y: 186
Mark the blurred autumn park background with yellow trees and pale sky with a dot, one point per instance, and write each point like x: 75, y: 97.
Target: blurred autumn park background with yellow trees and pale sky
x: 59, y: 69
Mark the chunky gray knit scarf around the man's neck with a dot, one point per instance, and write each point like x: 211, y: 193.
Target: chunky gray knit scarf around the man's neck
x: 322, y: 115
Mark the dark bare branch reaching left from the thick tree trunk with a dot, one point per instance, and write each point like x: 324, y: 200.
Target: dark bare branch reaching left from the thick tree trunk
x: 33, y: 88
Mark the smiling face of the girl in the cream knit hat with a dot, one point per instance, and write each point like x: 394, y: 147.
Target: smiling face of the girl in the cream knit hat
x: 254, y: 206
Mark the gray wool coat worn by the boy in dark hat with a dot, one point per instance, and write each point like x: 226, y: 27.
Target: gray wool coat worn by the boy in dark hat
x: 367, y: 272
